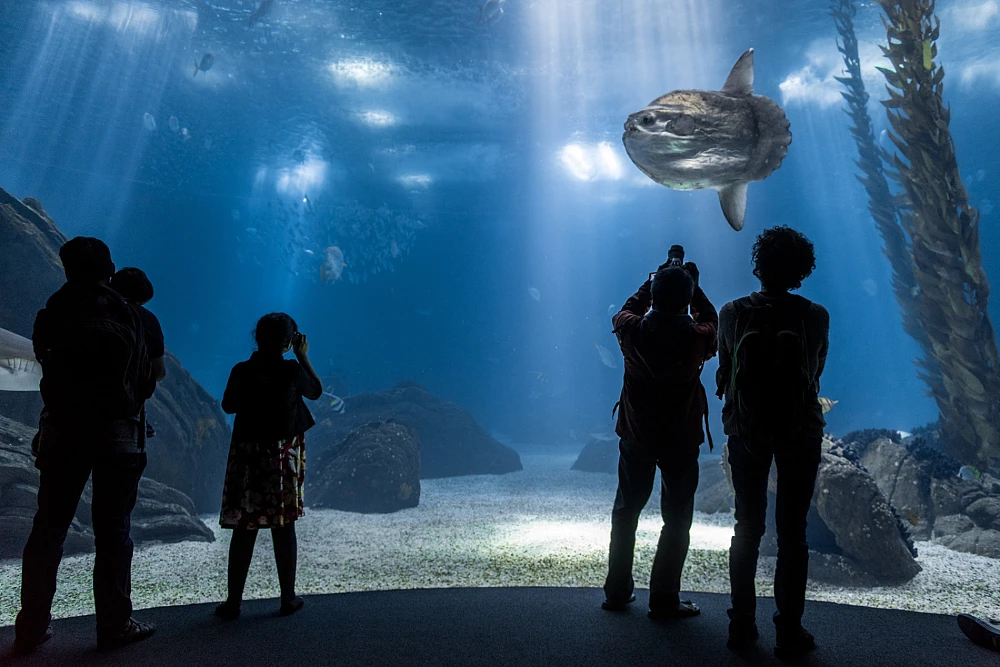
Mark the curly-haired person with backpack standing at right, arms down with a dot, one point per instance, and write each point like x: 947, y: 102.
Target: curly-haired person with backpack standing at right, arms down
x: 772, y: 350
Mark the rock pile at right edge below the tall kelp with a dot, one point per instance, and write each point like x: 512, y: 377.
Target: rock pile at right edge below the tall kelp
x: 922, y: 483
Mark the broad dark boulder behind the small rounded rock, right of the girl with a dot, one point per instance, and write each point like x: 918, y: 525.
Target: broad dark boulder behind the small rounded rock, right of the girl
x: 451, y: 442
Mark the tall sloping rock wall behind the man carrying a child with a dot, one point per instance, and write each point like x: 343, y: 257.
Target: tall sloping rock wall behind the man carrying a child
x: 192, y: 439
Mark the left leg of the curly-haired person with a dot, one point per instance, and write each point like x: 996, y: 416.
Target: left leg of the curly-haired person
x: 750, y: 467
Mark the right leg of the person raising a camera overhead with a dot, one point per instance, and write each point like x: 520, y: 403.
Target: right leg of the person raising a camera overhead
x: 679, y: 481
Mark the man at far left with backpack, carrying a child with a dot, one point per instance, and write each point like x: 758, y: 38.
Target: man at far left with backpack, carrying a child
x: 96, y: 375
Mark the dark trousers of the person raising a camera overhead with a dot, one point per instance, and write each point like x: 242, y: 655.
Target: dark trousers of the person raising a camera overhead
x: 636, y: 473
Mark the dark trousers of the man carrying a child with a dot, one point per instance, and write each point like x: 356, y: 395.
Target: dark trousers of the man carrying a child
x: 115, y: 487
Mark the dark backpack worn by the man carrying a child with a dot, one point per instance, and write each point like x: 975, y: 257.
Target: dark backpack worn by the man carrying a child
x: 99, y: 366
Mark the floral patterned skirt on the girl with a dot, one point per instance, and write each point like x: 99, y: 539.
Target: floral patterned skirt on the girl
x: 263, y: 487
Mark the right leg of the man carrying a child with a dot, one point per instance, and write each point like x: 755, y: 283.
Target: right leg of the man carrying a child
x: 116, y: 486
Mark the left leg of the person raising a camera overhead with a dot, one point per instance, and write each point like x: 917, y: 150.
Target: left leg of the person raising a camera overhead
x: 636, y: 472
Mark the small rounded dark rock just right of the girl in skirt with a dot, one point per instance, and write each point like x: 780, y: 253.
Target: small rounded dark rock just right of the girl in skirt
x: 373, y: 470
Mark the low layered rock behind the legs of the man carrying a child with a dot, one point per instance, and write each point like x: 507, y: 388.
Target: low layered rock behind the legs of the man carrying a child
x: 161, y: 514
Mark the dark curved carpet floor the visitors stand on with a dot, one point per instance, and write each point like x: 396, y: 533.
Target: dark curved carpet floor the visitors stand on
x: 501, y: 626
